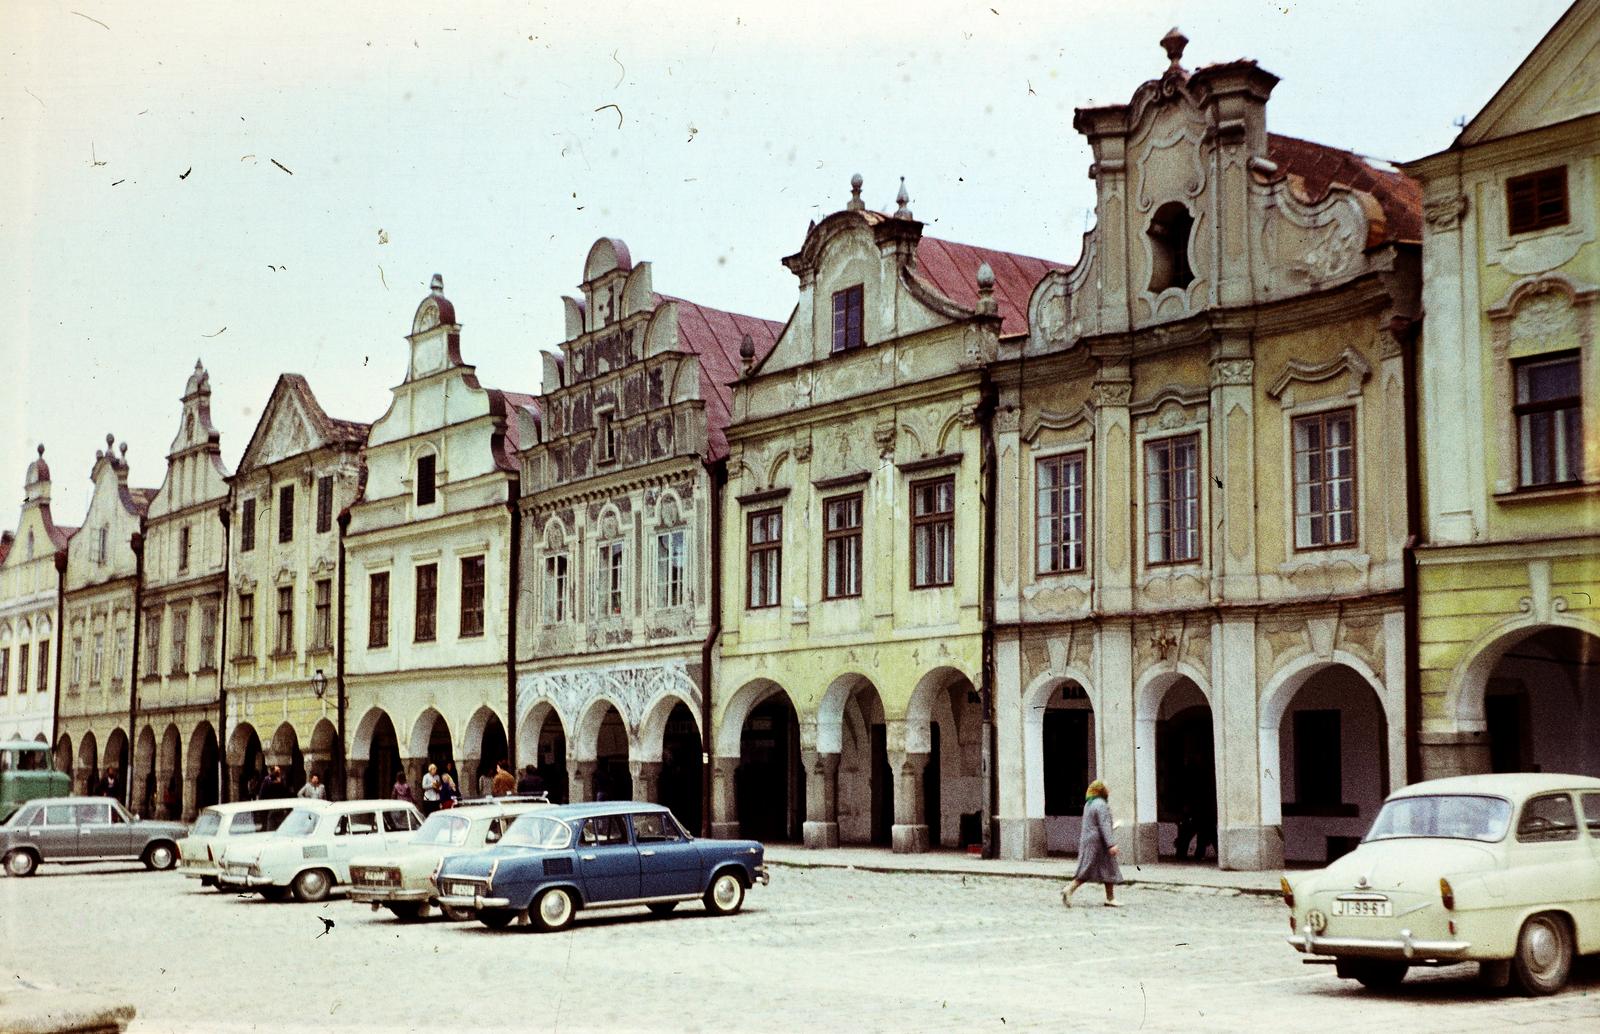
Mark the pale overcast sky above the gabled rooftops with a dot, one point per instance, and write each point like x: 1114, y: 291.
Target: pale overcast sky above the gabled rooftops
x: 271, y: 186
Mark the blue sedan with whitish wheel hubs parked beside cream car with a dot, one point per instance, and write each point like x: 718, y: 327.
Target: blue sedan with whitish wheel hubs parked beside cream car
x: 556, y: 862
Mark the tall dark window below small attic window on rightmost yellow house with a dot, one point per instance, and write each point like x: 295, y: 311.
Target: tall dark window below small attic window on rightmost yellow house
x: 1550, y: 420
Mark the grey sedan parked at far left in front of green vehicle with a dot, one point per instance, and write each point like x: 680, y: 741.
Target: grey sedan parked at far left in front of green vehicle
x: 84, y: 830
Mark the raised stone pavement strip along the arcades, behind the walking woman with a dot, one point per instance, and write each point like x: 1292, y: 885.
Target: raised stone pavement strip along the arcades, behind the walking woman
x: 1172, y: 875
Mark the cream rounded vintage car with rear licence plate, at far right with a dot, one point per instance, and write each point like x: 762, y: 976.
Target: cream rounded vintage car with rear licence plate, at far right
x: 1500, y: 870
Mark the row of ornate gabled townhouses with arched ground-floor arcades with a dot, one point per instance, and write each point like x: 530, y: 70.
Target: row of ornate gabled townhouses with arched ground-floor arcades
x: 1214, y: 515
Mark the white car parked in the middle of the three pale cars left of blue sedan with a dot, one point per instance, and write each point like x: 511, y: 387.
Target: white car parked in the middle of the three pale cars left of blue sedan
x: 311, y: 852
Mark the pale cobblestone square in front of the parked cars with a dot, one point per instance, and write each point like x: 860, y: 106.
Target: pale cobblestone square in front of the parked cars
x: 818, y: 950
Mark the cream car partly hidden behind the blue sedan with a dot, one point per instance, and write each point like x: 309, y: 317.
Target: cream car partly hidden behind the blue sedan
x: 402, y: 880
